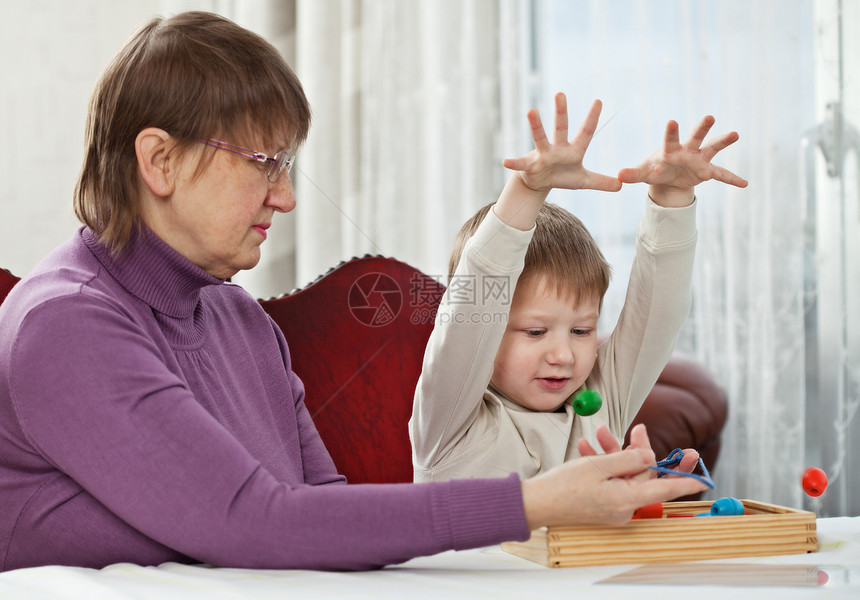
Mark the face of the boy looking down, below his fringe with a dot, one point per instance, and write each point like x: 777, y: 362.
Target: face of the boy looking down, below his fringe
x: 549, y: 347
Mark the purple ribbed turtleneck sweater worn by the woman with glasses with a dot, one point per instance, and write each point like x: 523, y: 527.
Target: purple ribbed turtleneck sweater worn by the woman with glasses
x: 149, y: 413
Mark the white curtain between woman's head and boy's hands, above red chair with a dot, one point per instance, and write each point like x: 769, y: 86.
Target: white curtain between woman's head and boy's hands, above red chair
x: 405, y: 143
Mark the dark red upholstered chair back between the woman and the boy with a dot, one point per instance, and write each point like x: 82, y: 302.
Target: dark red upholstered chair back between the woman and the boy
x: 357, y: 338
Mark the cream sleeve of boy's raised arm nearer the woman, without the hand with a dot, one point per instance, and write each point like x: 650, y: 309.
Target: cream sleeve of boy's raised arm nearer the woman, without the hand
x: 458, y: 360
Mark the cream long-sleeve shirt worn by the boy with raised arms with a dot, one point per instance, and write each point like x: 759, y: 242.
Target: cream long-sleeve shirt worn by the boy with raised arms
x: 462, y: 427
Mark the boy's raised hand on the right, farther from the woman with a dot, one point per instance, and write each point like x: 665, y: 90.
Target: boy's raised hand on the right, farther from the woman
x: 674, y: 170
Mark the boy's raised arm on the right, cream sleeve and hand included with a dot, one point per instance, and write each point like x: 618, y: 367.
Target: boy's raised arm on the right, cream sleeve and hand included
x: 658, y: 296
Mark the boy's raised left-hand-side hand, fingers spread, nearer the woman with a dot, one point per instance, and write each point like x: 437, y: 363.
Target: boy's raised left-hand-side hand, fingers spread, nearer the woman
x: 558, y: 164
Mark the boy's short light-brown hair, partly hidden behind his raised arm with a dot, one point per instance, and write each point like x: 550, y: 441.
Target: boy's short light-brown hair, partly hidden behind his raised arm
x: 562, y: 251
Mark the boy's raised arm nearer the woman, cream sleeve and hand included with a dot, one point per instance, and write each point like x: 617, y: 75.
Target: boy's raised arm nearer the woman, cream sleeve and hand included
x: 459, y: 357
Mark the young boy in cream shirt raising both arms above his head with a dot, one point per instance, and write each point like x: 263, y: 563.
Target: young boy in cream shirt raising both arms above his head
x: 499, y: 374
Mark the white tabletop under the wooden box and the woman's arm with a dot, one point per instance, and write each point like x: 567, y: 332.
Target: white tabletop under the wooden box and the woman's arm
x: 487, y: 572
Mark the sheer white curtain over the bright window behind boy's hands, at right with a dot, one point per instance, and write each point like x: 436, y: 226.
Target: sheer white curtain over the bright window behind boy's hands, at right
x: 753, y: 66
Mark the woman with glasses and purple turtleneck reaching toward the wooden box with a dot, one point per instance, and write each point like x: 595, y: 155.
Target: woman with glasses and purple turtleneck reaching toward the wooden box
x: 148, y: 410
